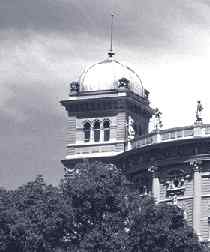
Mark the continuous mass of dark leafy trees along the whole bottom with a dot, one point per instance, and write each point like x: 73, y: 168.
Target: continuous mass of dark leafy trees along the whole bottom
x: 94, y: 210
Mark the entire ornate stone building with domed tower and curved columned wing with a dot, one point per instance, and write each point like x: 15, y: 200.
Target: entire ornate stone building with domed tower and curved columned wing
x: 108, y: 117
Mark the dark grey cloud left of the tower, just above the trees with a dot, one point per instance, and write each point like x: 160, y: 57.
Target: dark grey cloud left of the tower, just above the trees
x: 33, y: 145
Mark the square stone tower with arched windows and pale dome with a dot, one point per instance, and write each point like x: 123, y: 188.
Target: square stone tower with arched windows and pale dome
x: 107, y: 109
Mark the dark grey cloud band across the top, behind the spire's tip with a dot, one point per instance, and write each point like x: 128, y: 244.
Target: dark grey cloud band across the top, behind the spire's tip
x: 142, y: 23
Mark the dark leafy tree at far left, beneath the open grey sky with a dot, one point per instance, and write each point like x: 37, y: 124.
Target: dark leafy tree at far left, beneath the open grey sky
x: 34, y: 219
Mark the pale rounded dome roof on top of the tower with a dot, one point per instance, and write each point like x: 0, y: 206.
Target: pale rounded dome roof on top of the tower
x: 105, y: 75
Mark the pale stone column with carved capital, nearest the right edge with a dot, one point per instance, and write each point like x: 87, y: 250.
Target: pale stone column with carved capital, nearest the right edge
x: 196, y: 195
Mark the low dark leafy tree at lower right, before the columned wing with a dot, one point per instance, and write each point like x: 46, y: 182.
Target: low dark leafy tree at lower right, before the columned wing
x: 162, y: 228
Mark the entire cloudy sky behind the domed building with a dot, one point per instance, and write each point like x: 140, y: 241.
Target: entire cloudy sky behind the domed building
x: 46, y: 44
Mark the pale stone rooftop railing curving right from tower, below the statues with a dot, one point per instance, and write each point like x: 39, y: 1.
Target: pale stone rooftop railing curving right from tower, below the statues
x: 173, y: 134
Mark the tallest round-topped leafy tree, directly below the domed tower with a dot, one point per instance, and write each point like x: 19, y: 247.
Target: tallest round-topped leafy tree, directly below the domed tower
x: 98, y: 197
